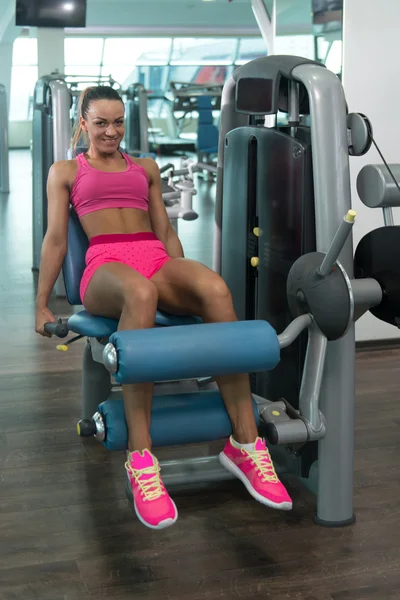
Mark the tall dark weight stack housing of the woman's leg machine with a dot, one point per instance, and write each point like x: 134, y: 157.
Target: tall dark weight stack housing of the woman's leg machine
x: 268, y: 213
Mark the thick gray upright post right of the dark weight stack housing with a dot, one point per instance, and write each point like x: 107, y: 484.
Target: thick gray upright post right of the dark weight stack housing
x: 332, y: 200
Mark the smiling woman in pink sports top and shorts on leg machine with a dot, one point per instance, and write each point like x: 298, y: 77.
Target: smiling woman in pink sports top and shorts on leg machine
x: 134, y: 265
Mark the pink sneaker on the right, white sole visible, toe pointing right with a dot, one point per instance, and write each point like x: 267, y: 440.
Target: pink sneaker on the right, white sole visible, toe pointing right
x: 255, y: 469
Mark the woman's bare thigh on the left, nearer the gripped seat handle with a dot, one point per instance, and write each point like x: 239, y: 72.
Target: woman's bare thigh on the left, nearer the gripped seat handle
x: 110, y: 287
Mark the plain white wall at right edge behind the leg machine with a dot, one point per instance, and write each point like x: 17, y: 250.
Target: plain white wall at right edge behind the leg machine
x: 371, y: 49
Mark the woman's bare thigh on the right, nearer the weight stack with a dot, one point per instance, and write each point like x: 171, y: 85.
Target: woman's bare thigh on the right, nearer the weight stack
x: 185, y: 286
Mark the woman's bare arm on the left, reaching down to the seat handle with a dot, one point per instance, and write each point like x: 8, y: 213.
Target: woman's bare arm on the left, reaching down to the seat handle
x: 55, y: 241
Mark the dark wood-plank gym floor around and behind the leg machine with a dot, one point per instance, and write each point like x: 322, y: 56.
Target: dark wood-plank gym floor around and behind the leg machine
x: 66, y: 529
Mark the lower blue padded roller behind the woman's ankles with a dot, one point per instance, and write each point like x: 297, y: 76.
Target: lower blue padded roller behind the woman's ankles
x: 176, y: 419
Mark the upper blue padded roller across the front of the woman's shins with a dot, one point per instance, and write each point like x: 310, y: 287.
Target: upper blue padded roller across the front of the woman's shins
x: 189, y: 351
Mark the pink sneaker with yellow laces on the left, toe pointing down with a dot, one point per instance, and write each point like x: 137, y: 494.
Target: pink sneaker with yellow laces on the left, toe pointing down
x: 153, y: 506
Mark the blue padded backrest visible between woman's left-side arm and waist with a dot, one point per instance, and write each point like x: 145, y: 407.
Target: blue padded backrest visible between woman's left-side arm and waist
x: 74, y: 261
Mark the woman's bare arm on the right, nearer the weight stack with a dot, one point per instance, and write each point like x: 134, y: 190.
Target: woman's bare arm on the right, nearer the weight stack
x: 158, y: 214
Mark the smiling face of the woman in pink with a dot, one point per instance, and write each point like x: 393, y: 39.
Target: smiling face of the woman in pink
x: 104, y: 124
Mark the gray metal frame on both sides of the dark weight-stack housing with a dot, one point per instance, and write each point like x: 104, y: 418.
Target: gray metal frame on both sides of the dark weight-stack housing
x: 332, y: 201
